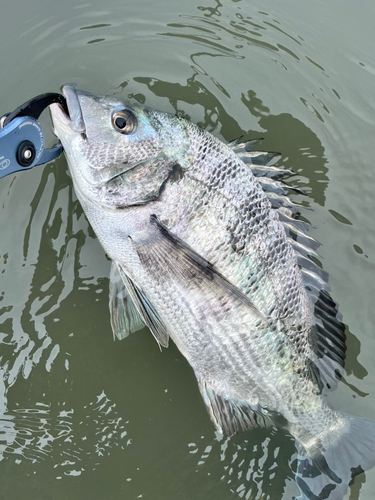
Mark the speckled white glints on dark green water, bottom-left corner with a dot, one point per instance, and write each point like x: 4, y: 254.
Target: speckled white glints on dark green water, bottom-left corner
x: 76, y: 443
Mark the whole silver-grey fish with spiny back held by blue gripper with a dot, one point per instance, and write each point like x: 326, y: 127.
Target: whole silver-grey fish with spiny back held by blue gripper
x: 207, y: 250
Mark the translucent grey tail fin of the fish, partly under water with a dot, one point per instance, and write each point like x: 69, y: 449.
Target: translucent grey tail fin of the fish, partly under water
x: 346, y: 449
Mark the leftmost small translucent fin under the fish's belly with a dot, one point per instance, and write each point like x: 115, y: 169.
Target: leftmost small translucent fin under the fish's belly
x: 125, y: 318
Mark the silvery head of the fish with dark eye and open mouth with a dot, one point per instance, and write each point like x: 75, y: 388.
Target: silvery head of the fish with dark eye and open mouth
x: 120, y: 153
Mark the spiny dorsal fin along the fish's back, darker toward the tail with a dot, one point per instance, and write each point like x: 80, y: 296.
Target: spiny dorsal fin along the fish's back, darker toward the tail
x: 328, y: 331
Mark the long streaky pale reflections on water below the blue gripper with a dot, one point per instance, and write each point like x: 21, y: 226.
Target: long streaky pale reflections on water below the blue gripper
x: 46, y: 278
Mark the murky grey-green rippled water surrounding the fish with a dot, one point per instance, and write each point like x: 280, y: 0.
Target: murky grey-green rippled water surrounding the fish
x: 84, y: 417
